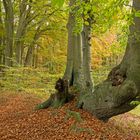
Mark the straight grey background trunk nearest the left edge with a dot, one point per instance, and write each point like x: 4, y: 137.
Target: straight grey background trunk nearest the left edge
x: 9, y: 27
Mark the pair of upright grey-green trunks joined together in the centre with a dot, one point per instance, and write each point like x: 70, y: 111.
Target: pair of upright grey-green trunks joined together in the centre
x: 78, y: 54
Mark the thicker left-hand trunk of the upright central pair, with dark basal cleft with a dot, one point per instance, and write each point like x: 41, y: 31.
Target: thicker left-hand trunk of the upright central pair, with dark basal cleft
x: 74, y: 67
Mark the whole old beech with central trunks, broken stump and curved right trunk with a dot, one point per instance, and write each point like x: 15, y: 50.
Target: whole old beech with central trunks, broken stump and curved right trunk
x: 114, y: 95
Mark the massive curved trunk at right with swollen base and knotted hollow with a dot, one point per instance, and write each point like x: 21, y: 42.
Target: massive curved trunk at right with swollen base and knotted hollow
x: 114, y: 95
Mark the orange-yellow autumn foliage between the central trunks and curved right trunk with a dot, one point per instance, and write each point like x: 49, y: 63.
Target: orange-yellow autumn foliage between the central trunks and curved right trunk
x: 103, y: 48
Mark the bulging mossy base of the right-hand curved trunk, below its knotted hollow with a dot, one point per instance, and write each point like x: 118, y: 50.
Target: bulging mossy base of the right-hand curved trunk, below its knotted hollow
x: 108, y: 100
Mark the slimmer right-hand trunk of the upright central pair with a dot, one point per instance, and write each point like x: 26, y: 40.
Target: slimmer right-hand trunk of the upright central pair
x: 86, y: 38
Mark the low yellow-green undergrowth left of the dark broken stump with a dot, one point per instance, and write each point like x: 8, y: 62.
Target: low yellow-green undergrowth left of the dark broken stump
x: 34, y: 81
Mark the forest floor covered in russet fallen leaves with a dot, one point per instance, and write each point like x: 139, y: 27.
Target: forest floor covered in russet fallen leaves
x: 19, y: 121
